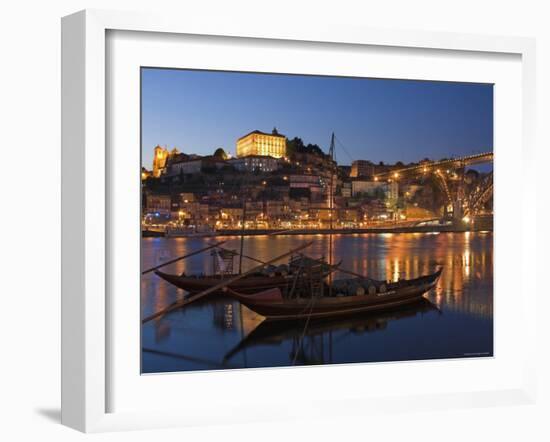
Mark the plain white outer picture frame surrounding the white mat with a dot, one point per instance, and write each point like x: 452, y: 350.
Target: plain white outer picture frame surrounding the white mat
x: 85, y: 217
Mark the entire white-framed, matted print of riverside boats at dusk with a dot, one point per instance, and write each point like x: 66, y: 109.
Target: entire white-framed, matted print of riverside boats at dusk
x: 251, y: 214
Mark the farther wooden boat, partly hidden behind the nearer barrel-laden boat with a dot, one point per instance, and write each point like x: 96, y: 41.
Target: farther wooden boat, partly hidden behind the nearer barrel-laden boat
x: 281, y: 277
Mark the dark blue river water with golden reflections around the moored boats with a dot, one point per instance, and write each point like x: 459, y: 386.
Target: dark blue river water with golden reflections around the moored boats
x: 455, y: 321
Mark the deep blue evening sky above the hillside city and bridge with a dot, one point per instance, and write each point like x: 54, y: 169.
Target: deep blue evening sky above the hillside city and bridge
x: 378, y: 120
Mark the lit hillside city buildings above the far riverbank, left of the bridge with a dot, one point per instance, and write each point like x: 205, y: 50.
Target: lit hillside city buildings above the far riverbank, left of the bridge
x: 271, y: 185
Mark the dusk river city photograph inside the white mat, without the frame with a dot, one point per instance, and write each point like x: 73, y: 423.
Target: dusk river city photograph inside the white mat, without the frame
x: 296, y: 220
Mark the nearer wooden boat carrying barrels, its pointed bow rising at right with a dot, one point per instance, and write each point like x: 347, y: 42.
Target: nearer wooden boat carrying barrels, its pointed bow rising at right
x: 275, y: 307
